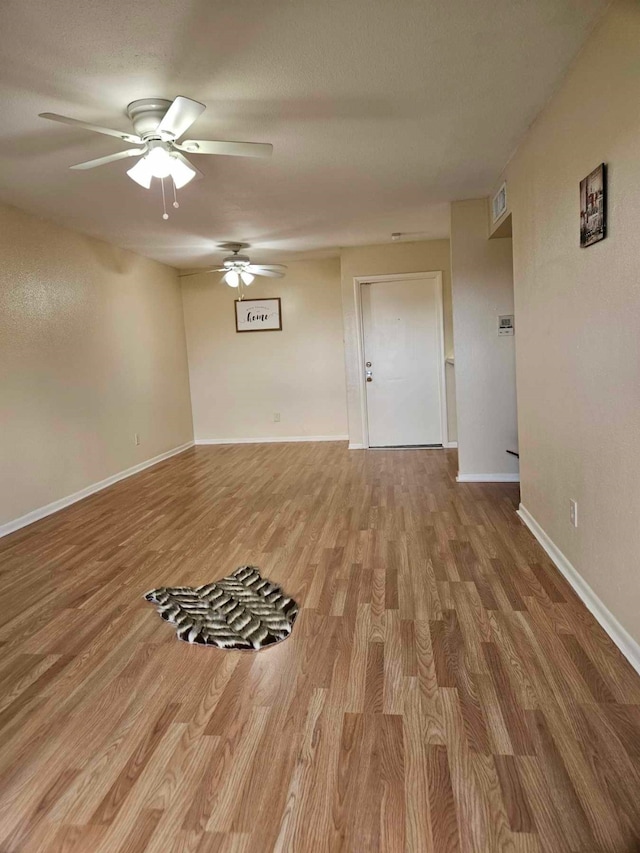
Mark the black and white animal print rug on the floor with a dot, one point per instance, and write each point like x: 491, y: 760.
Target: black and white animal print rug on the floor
x: 241, y: 611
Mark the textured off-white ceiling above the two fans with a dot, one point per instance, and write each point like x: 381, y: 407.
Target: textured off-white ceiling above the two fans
x: 380, y: 112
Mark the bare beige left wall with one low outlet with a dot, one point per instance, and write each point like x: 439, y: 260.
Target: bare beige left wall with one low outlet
x: 91, y: 351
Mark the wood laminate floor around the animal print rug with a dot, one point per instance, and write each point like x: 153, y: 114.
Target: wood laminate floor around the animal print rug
x: 443, y: 688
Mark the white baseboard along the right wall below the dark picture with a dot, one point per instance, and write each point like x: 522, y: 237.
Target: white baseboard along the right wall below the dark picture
x: 620, y: 636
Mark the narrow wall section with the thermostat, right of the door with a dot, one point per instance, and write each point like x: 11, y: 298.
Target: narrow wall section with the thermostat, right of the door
x: 482, y: 277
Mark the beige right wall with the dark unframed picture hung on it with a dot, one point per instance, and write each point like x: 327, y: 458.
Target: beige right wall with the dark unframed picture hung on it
x: 578, y: 316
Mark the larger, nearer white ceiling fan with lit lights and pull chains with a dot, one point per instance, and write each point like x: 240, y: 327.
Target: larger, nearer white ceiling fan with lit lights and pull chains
x: 158, y: 125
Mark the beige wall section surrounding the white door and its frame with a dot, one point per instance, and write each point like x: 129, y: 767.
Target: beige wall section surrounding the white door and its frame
x: 388, y: 259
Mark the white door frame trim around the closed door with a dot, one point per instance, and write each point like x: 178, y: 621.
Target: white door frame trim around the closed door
x: 358, y: 281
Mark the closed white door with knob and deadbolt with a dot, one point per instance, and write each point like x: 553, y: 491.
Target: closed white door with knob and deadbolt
x: 402, y: 329
